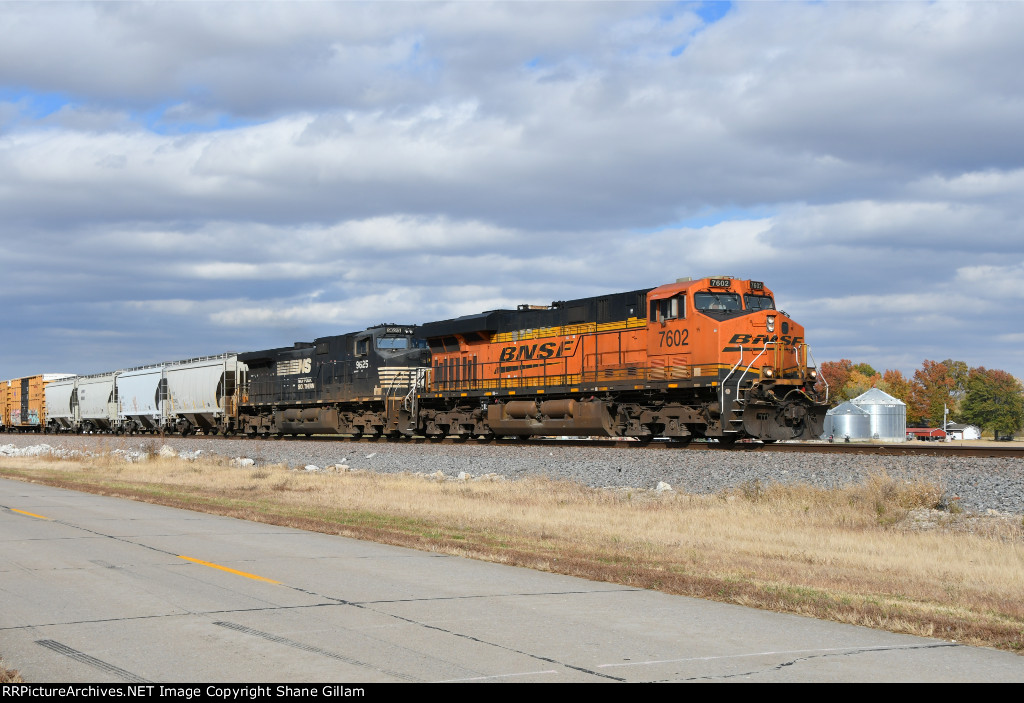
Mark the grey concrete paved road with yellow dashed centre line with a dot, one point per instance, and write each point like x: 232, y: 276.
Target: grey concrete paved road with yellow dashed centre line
x: 103, y: 590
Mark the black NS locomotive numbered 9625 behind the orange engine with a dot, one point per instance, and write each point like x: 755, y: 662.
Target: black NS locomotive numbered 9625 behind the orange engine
x: 356, y: 384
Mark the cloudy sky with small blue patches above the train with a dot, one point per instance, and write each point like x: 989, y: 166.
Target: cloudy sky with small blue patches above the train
x: 185, y: 179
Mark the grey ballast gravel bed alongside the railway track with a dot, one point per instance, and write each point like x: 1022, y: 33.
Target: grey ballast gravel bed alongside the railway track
x: 977, y: 486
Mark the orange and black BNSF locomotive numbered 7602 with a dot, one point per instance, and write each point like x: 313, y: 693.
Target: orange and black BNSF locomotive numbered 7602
x: 710, y: 358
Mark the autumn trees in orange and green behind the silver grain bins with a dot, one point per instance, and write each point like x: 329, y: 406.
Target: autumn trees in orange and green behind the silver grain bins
x: 991, y: 399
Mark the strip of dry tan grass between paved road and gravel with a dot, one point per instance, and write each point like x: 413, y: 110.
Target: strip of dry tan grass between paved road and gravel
x: 856, y: 555
